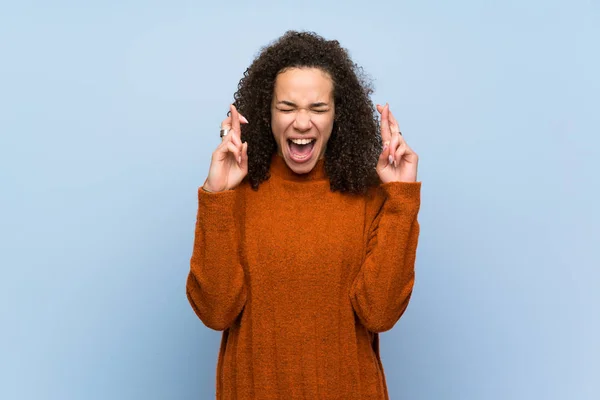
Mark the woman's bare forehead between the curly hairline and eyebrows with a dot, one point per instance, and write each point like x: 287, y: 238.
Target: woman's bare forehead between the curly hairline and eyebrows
x: 310, y: 84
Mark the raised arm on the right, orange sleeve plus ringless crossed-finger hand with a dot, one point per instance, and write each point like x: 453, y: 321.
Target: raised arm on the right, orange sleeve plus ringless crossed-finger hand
x: 383, y: 287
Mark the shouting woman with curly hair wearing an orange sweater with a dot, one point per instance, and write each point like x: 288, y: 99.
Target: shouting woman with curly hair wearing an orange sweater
x: 307, y: 229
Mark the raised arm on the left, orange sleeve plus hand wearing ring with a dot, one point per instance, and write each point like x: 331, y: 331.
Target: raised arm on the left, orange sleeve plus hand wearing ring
x: 216, y: 286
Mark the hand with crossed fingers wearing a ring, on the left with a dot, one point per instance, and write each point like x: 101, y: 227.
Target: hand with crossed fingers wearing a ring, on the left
x: 229, y: 162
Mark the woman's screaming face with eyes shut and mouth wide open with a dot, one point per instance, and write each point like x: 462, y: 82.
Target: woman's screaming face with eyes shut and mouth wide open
x: 302, y: 114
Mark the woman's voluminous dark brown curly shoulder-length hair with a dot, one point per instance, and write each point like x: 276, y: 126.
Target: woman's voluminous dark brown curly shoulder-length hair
x: 355, y: 142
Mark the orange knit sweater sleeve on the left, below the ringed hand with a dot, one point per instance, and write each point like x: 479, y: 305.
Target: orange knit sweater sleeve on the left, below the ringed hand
x: 216, y: 286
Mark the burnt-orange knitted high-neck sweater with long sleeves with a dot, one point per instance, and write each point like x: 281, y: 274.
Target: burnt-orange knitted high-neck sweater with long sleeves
x: 301, y: 280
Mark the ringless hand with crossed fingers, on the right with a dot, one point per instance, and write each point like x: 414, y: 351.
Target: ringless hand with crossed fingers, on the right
x: 397, y: 162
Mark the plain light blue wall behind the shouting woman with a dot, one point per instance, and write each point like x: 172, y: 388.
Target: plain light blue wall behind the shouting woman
x: 109, y: 112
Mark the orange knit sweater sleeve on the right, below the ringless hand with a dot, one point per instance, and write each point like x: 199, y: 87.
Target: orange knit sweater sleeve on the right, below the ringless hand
x: 382, y: 288
